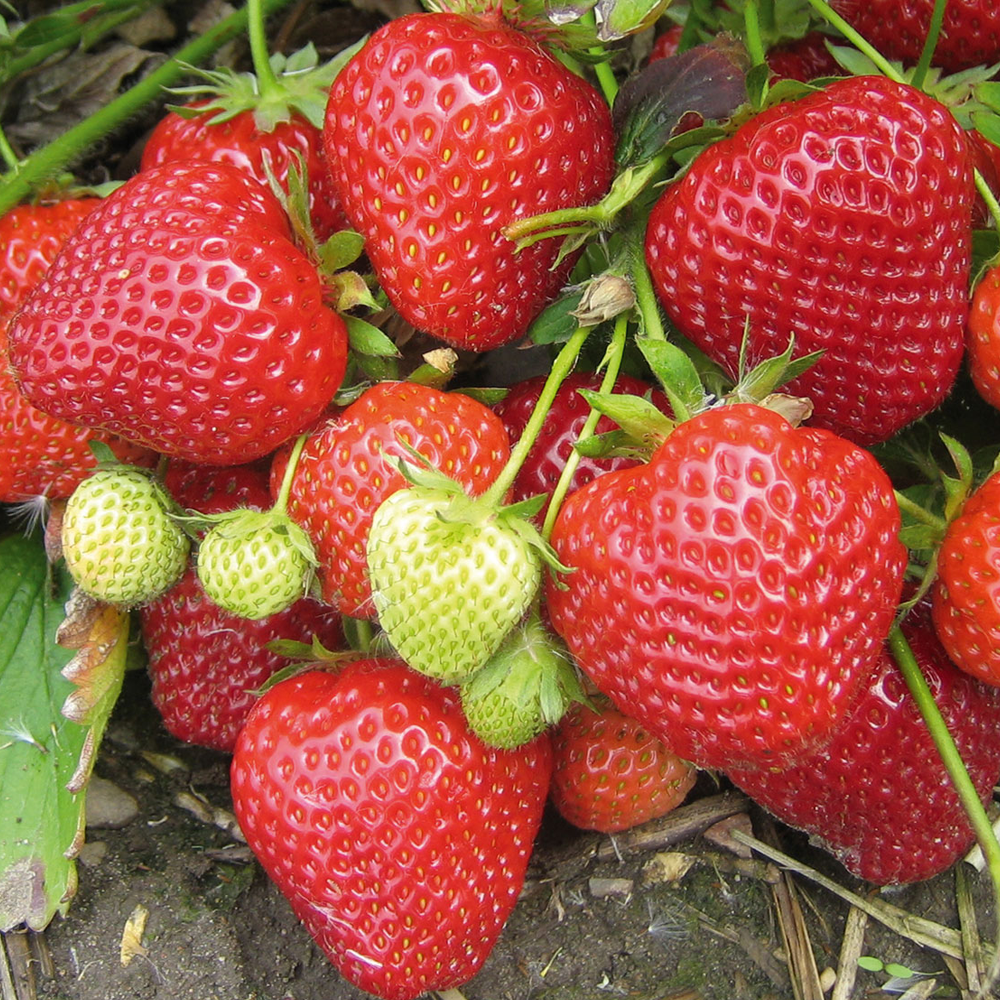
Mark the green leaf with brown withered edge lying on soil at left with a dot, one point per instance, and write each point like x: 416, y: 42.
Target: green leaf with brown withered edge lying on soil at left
x: 42, y: 753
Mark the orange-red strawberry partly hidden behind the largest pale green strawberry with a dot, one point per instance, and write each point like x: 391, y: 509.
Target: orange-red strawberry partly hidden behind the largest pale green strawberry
x: 344, y: 473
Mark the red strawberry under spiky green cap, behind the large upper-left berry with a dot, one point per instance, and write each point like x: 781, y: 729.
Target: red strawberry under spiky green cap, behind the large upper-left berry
x: 239, y: 142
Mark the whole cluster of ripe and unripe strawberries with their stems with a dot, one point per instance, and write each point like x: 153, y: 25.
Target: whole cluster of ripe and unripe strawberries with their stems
x: 411, y: 612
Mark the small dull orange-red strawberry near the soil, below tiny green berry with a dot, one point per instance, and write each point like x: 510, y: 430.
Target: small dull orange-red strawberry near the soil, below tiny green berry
x: 610, y: 774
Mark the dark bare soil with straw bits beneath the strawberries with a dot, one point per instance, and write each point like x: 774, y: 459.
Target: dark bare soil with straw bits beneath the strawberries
x: 646, y: 916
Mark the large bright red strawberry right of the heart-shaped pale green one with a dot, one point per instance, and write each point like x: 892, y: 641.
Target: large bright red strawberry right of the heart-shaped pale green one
x: 733, y: 594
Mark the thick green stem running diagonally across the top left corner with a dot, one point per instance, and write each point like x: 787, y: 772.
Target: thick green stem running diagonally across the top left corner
x: 51, y: 159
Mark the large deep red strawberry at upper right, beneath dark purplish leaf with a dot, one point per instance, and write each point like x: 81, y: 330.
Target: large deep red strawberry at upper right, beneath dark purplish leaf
x: 843, y: 221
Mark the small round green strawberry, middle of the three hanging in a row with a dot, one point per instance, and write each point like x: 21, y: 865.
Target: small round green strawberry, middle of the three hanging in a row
x: 255, y: 563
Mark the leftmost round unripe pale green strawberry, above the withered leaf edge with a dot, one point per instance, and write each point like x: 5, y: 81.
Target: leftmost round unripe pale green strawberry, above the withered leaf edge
x: 120, y: 543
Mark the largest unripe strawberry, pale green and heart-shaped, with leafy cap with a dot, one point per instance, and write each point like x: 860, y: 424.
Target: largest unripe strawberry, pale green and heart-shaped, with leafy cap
x: 450, y: 576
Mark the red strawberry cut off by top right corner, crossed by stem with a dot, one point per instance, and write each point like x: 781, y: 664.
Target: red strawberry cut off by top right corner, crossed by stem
x: 970, y: 33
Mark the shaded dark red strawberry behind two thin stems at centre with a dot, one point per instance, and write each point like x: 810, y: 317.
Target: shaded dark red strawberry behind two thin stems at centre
x: 565, y: 419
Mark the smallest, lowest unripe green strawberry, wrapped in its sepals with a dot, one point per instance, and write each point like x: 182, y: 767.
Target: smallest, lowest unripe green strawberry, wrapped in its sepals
x: 526, y: 686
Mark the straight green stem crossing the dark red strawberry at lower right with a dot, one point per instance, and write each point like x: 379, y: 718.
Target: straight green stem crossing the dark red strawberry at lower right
x: 952, y: 760
